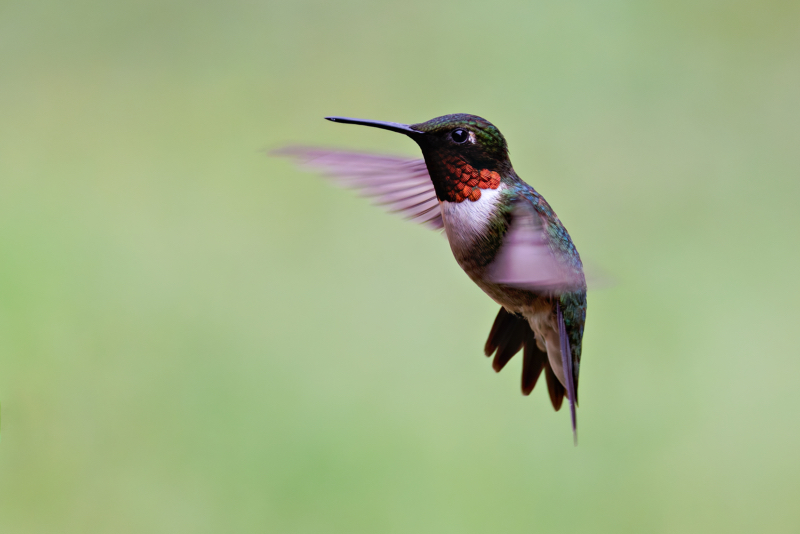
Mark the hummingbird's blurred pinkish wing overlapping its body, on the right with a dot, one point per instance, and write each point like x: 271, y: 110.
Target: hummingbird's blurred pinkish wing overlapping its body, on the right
x: 526, y: 259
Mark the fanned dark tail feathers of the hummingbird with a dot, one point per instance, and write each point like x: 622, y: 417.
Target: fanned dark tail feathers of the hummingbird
x: 510, y: 333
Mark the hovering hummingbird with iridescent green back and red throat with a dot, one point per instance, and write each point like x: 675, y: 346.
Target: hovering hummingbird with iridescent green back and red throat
x: 502, y: 232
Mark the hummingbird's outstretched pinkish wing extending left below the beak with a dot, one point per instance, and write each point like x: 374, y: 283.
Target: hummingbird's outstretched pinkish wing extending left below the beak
x: 398, y: 184
